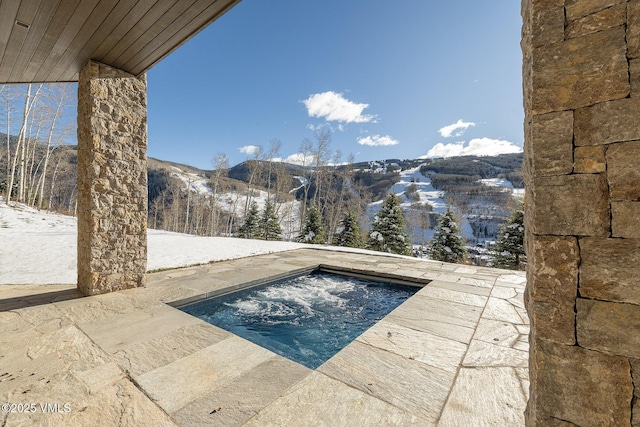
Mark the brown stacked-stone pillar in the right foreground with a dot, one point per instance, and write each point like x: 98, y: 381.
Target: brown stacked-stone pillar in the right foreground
x: 581, y: 79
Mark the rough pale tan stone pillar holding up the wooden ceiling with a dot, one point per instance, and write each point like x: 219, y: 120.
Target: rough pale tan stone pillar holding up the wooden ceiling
x: 112, y: 179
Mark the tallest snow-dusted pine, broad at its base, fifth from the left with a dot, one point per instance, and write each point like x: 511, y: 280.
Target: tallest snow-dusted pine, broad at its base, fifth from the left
x: 388, y: 229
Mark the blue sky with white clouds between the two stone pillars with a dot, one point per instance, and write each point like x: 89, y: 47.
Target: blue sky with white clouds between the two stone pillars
x: 388, y: 79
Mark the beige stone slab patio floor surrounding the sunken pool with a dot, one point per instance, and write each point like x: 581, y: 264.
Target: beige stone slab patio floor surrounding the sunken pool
x: 454, y: 354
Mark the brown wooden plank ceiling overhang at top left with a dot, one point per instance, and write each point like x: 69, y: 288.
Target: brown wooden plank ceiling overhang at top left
x: 50, y: 40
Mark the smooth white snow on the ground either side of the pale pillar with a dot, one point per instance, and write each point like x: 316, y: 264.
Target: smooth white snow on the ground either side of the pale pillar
x: 39, y: 247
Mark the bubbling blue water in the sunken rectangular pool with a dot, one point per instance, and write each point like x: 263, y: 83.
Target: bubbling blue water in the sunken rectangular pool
x: 306, y: 318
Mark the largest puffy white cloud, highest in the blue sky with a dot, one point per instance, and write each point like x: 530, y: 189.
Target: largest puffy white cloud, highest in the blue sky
x: 333, y: 106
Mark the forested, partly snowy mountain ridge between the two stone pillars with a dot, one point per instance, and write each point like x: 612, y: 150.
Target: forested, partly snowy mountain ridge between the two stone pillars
x: 485, y: 205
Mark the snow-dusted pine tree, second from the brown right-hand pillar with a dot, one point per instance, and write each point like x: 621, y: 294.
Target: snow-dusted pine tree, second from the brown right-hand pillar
x: 447, y: 244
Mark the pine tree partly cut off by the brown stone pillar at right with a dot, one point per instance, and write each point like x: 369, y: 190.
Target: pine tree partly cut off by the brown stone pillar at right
x: 509, y: 250
